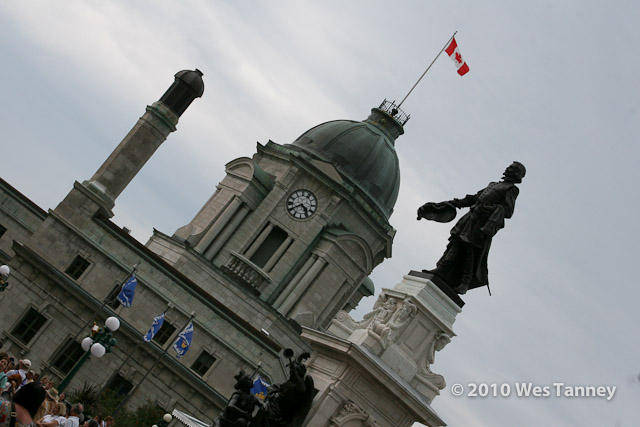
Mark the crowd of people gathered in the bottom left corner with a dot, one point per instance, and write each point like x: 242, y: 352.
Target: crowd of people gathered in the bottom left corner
x: 29, y: 400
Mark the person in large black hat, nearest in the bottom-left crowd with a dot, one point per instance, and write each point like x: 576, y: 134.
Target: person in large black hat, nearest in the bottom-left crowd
x: 25, y: 403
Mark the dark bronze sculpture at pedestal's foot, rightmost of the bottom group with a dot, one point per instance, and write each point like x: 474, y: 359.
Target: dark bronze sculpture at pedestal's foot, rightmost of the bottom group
x: 288, y: 404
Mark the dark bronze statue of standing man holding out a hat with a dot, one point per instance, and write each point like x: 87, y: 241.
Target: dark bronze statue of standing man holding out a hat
x: 463, y: 265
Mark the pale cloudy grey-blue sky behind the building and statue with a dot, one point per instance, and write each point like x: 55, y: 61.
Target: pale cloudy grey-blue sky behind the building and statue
x: 552, y: 84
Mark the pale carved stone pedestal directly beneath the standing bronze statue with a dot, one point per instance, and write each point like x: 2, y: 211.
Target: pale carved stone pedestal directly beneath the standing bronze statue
x: 408, y: 324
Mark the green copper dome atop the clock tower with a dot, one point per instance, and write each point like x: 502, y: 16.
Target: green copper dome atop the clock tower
x: 363, y: 152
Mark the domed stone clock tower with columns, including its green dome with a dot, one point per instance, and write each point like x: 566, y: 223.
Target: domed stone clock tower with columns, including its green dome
x: 301, y: 225
